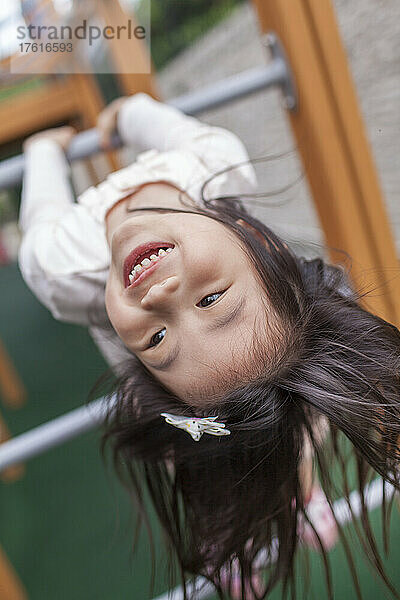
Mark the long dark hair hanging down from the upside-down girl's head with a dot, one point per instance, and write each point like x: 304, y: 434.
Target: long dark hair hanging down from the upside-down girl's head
x: 223, y: 501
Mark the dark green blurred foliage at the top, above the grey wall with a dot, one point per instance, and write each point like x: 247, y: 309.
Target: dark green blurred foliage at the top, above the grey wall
x: 175, y: 24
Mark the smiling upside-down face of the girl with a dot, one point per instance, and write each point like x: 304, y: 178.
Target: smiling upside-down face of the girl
x: 189, y: 315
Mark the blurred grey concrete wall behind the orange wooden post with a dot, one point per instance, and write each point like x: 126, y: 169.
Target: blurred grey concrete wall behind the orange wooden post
x: 370, y: 31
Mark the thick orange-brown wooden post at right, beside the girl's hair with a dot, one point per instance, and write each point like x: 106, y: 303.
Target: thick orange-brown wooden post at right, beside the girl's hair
x: 334, y: 149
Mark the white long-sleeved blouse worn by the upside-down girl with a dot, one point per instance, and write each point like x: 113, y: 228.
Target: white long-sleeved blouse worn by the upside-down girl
x: 64, y: 257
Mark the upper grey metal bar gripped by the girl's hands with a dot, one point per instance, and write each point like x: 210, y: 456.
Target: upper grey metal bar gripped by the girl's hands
x: 232, y: 88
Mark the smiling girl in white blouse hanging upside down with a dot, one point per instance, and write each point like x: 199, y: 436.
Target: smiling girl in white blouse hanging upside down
x: 239, y: 366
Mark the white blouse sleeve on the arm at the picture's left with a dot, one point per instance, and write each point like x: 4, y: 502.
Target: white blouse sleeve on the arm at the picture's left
x: 64, y: 256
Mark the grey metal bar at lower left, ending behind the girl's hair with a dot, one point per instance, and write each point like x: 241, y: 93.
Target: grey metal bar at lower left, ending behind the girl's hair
x: 53, y: 433
